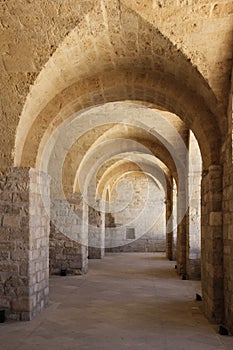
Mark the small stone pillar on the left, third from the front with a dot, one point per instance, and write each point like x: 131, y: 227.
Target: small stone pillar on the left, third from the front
x: 96, y: 234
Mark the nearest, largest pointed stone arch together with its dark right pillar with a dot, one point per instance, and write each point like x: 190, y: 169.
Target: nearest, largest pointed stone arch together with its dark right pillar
x: 168, y: 81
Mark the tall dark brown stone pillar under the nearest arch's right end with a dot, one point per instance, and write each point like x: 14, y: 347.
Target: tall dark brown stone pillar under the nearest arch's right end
x: 212, y: 243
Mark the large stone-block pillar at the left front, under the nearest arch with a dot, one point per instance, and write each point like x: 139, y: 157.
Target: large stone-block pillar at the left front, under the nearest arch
x: 24, y: 242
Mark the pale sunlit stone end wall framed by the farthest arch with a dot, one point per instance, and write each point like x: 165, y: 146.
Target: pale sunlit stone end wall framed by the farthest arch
x: 137, y: 205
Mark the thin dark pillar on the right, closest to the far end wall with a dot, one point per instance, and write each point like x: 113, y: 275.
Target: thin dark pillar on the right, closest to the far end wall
x: 169, y: 223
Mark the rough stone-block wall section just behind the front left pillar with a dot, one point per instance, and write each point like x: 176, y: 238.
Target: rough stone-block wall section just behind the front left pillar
x: 67, y: 250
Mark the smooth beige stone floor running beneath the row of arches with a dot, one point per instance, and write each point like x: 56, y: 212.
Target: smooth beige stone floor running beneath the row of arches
x: 126, y: 301
